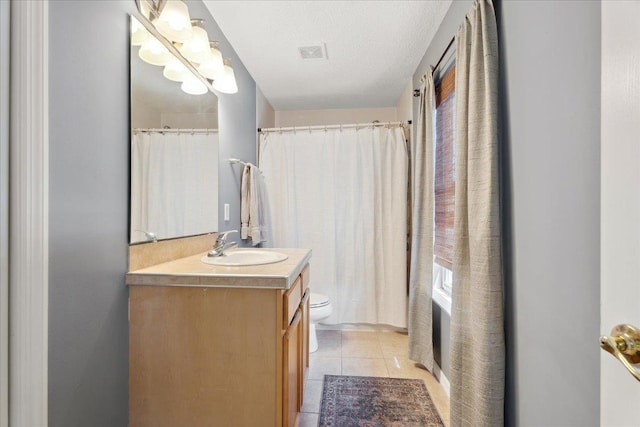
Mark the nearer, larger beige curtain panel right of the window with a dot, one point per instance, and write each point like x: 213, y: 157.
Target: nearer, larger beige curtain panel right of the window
x: 477, y: 320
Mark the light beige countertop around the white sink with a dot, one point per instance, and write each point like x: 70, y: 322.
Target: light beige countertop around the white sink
x: 191, y: 271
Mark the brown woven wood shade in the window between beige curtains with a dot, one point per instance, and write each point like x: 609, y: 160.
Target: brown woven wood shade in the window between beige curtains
x: 444, y: 186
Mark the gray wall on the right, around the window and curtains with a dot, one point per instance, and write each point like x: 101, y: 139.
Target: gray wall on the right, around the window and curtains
x: 550, y: 76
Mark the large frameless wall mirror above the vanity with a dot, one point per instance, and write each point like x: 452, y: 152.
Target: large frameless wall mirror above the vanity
x: 174, y: 156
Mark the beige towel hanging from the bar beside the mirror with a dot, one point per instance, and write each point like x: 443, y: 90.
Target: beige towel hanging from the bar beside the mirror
x: 254, y: 214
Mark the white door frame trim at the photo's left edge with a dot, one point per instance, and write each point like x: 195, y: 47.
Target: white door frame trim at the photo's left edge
x: 29, y: 214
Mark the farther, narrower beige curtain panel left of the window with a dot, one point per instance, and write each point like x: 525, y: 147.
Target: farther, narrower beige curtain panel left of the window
x: 421, y: 267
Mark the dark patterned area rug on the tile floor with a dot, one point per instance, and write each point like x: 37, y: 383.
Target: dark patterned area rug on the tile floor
x: 375, y: 402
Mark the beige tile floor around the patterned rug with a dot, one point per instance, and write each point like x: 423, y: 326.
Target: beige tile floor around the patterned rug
x: 364, y: 353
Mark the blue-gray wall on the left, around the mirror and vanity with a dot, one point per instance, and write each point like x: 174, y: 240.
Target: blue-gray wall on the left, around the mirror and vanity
x: 89, y: 196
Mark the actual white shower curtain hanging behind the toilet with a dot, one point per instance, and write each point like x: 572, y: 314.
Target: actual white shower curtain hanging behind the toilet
x: 342, y: 193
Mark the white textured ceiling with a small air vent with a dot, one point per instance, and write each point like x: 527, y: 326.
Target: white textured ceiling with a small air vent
x: 373, y: 48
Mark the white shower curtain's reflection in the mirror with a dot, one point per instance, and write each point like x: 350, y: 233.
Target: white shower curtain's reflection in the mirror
x: 174, y: 184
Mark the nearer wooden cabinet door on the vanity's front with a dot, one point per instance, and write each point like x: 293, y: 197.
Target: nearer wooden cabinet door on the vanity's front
x: 291, y: 342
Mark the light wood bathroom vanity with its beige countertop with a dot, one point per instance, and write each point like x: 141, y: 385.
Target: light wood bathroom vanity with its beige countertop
x: 218, y: 346
